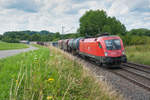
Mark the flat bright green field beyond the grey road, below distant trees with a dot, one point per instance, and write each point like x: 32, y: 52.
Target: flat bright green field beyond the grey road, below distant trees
x: 9, y: 46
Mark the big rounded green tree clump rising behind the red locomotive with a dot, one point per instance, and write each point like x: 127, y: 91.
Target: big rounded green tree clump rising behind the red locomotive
x: 96, y: 22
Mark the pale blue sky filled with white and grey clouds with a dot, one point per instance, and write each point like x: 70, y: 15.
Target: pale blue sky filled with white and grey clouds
x: 51, y: 15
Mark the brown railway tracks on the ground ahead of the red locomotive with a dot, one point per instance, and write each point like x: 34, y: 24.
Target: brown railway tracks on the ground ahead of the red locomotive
x: 136, y: 73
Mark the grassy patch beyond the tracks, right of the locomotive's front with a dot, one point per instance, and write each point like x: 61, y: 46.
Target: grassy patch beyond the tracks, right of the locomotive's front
x: 138, y: 54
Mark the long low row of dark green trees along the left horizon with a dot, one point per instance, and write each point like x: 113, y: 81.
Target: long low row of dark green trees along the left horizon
x: 16, y: 36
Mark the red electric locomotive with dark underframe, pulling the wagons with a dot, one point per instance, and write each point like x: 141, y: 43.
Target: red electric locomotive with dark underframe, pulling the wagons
x: 104, y: 49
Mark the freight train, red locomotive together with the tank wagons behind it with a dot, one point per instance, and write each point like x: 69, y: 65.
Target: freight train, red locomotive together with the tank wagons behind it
x: 105, y: 49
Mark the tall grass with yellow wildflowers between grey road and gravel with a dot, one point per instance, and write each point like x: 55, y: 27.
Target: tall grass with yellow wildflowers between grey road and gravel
x: 49, y: 74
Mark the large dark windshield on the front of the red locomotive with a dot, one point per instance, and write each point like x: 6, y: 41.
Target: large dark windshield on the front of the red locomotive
x: 113, y: 44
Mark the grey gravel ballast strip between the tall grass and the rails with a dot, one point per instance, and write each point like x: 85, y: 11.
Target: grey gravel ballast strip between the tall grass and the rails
x: 129, y: 90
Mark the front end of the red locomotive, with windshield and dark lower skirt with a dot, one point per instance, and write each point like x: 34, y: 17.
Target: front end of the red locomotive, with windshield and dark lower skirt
x: 114, y: 52
